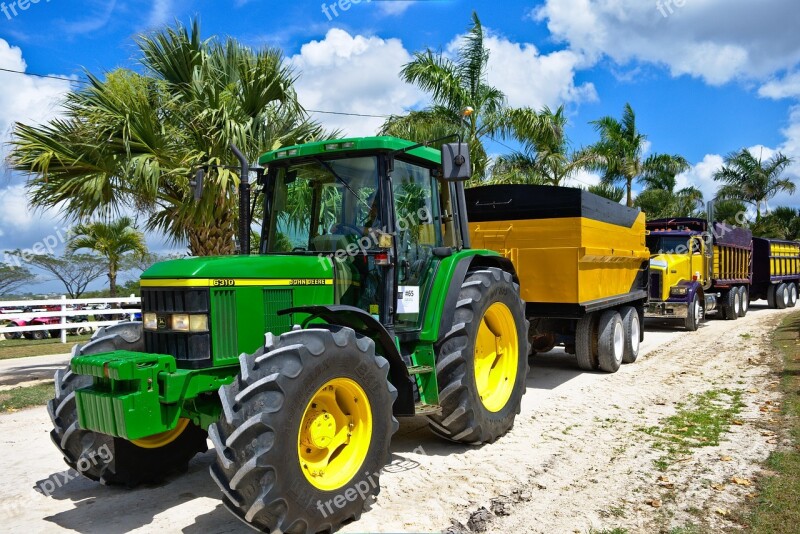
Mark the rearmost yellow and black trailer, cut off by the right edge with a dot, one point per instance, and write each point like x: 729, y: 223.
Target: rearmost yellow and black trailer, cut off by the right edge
x: 776, y: 272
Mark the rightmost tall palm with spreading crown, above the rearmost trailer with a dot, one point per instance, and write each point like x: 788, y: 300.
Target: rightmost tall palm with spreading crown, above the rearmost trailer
x: 752, y: 180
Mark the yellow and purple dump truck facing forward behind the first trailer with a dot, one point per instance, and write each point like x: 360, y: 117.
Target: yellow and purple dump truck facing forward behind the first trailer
x: 698, y: 267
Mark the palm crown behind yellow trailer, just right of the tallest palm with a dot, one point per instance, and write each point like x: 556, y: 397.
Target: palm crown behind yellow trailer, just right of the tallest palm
x: 546, y: 158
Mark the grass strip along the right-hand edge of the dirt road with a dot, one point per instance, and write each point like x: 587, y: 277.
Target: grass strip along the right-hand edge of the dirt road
x: 777, y: 510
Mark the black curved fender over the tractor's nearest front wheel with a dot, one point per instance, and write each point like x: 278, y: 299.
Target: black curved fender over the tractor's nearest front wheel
x: 366, y: 325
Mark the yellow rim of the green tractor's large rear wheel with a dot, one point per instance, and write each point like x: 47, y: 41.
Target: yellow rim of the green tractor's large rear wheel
x: 496, y: 357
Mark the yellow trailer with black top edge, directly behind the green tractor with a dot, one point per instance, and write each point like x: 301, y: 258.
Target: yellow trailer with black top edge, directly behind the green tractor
x: 582, y: 265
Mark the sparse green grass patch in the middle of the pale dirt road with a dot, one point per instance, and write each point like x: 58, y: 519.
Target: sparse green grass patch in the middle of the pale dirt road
x: 699, y: 423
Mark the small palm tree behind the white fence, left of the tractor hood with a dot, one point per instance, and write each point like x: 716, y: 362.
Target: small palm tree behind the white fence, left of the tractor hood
x: 112, y: 240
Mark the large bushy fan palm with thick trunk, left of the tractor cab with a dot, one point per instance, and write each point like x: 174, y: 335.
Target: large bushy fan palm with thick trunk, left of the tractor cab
x: 133, y: 140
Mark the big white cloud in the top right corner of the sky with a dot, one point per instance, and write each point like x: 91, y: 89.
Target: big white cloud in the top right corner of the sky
x: 716, y: 40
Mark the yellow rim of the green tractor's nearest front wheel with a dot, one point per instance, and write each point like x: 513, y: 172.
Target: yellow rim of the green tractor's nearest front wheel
x: 335, y: 434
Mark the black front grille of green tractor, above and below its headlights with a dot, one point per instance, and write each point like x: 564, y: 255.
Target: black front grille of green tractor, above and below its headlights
x: 191, y: 350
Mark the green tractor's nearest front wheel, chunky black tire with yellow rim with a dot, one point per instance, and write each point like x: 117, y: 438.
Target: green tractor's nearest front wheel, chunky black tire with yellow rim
x: 304, y: 431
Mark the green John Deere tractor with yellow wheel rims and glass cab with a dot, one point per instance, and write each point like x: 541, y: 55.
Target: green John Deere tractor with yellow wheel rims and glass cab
x: 362, y: 303
